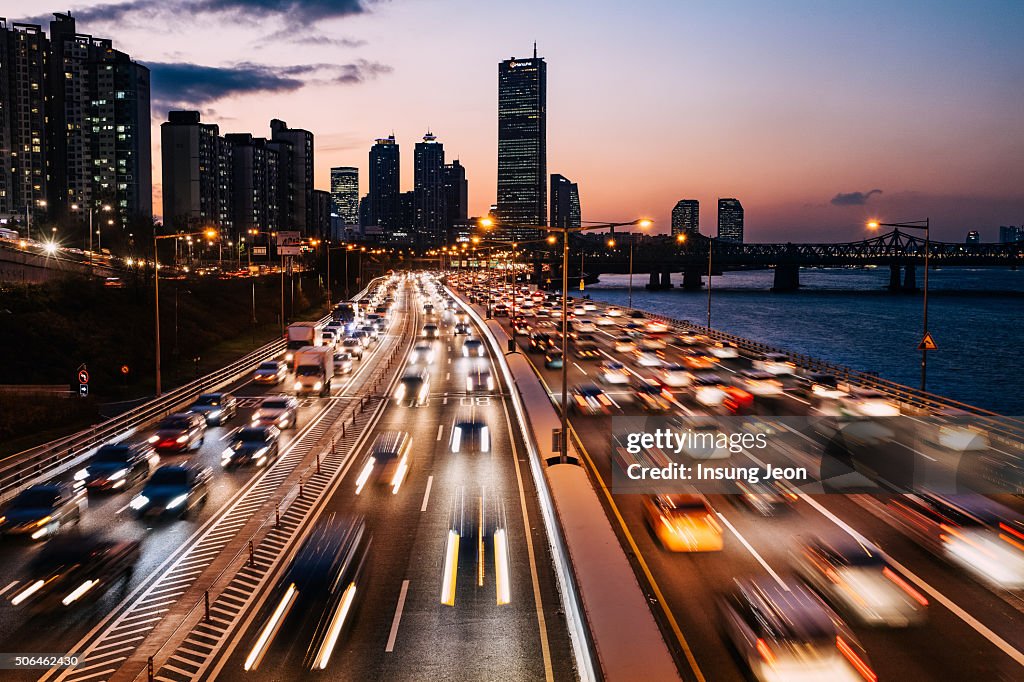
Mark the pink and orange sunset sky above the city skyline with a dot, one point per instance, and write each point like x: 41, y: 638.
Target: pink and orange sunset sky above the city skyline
x: 817, y: 116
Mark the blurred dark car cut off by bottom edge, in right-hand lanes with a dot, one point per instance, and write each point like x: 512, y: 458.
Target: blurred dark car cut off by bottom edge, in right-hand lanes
x: 785, y: 632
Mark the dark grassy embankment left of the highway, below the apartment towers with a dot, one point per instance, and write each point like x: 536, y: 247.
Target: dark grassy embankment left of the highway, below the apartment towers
x: 49, y: 331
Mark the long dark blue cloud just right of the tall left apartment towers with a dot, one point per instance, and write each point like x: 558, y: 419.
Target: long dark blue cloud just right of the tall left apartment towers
x: 192, y: 86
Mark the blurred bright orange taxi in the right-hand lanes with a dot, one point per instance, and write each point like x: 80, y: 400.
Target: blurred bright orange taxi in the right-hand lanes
x: 684, y: 523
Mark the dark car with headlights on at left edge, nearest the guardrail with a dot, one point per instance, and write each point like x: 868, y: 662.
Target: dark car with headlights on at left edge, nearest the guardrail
x: 44, y: 510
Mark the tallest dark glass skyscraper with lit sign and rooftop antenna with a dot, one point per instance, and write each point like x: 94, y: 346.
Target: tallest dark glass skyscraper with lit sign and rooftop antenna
x: 523, y: 159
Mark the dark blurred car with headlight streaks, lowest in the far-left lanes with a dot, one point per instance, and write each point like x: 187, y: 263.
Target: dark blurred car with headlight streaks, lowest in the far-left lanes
x: 69, y: 571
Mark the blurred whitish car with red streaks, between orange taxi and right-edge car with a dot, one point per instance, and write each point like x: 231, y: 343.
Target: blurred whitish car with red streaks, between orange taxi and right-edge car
x: 857, y: 579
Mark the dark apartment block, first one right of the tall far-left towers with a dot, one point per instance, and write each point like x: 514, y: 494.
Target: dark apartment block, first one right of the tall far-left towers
x: 198, y: 181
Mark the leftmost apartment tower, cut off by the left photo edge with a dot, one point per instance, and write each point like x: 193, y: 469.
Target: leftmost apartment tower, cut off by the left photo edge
x: 23, y: 119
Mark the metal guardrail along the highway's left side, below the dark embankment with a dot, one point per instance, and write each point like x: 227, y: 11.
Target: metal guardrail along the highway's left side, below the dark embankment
x: 22, y: 470
